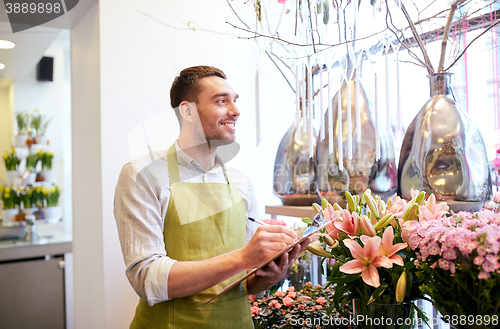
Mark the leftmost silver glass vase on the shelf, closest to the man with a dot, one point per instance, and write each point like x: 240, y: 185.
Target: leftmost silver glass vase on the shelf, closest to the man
x: 294, y: 171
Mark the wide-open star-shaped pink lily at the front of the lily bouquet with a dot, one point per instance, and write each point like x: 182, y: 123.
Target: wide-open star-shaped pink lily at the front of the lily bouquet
x: 366, y: 260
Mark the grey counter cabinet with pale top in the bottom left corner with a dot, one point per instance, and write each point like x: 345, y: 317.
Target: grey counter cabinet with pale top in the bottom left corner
x: 32, y: 275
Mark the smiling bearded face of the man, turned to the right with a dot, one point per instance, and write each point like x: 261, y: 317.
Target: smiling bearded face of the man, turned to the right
x: 217, y: 110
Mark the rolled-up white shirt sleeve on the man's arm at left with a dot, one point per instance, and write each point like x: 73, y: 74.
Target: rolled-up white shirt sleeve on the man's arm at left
x: 139, y: 209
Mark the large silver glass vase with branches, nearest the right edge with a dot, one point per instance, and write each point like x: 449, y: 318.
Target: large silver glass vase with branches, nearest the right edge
x: 443, y: 152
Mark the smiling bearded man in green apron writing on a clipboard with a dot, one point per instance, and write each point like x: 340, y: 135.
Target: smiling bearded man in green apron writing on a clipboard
x: 182, y: 219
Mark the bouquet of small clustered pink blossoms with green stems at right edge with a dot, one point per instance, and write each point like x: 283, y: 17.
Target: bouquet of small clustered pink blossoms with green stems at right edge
x: 459, y: 259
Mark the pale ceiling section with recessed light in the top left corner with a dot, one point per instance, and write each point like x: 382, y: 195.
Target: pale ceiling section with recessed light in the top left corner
x: 31, y: 44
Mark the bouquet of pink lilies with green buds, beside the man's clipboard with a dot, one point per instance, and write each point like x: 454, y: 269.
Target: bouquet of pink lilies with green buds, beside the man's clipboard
x: 368, y: 244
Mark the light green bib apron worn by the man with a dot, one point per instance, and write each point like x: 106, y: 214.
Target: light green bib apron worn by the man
x: 195, y: 229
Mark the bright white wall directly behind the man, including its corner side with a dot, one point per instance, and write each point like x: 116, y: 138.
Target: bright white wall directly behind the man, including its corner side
x: 137, y: 57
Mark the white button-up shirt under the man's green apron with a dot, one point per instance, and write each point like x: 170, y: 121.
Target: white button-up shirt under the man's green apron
x: 140, y: 206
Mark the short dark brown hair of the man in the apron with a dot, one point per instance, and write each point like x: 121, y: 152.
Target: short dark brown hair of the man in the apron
x: 186, y: 86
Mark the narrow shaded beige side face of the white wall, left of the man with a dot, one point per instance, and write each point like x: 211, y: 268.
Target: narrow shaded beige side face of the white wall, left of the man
x: 88, y: 265
